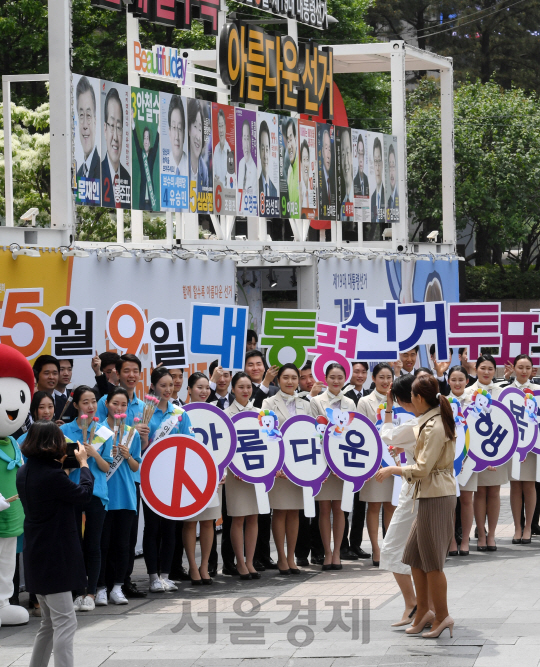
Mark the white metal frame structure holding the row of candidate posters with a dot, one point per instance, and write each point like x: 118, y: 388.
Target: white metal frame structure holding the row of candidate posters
x: 395, y: 57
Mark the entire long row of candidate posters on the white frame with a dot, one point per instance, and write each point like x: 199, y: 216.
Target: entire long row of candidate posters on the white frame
x: 155, y: 151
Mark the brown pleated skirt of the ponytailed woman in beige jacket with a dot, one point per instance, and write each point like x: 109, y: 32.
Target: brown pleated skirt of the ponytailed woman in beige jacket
x: 431, y: 534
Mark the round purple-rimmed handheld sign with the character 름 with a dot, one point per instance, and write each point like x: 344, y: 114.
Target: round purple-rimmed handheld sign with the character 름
x: 259, y: 452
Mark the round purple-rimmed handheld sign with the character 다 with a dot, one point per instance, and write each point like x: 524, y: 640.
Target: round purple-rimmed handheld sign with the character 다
x: 304, y: 462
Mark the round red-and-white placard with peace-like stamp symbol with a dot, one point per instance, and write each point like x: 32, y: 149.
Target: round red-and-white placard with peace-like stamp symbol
x: 179, y: 477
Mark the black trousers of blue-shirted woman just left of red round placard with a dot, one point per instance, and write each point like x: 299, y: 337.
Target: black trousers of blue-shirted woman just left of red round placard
x: 115, y: 539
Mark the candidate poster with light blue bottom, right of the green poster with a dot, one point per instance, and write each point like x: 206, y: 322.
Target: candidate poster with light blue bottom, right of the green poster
x: 174, y: 166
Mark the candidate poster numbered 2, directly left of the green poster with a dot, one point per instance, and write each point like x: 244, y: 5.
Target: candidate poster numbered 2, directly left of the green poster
x: 115, y: 145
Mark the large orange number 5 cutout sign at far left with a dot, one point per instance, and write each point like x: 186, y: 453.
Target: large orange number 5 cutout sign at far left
x: 24, y: 328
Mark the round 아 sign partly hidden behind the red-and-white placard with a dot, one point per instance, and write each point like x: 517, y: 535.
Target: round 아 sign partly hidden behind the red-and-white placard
x: 215, y: 430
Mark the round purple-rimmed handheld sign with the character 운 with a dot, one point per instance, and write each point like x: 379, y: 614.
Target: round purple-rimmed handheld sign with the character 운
x: 353, y: 450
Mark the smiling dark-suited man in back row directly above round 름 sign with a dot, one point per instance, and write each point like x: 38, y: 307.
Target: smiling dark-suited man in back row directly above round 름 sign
x: 261, y: 379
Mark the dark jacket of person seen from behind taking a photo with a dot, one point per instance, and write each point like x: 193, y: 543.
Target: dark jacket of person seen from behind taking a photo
x: 53, y: 558
